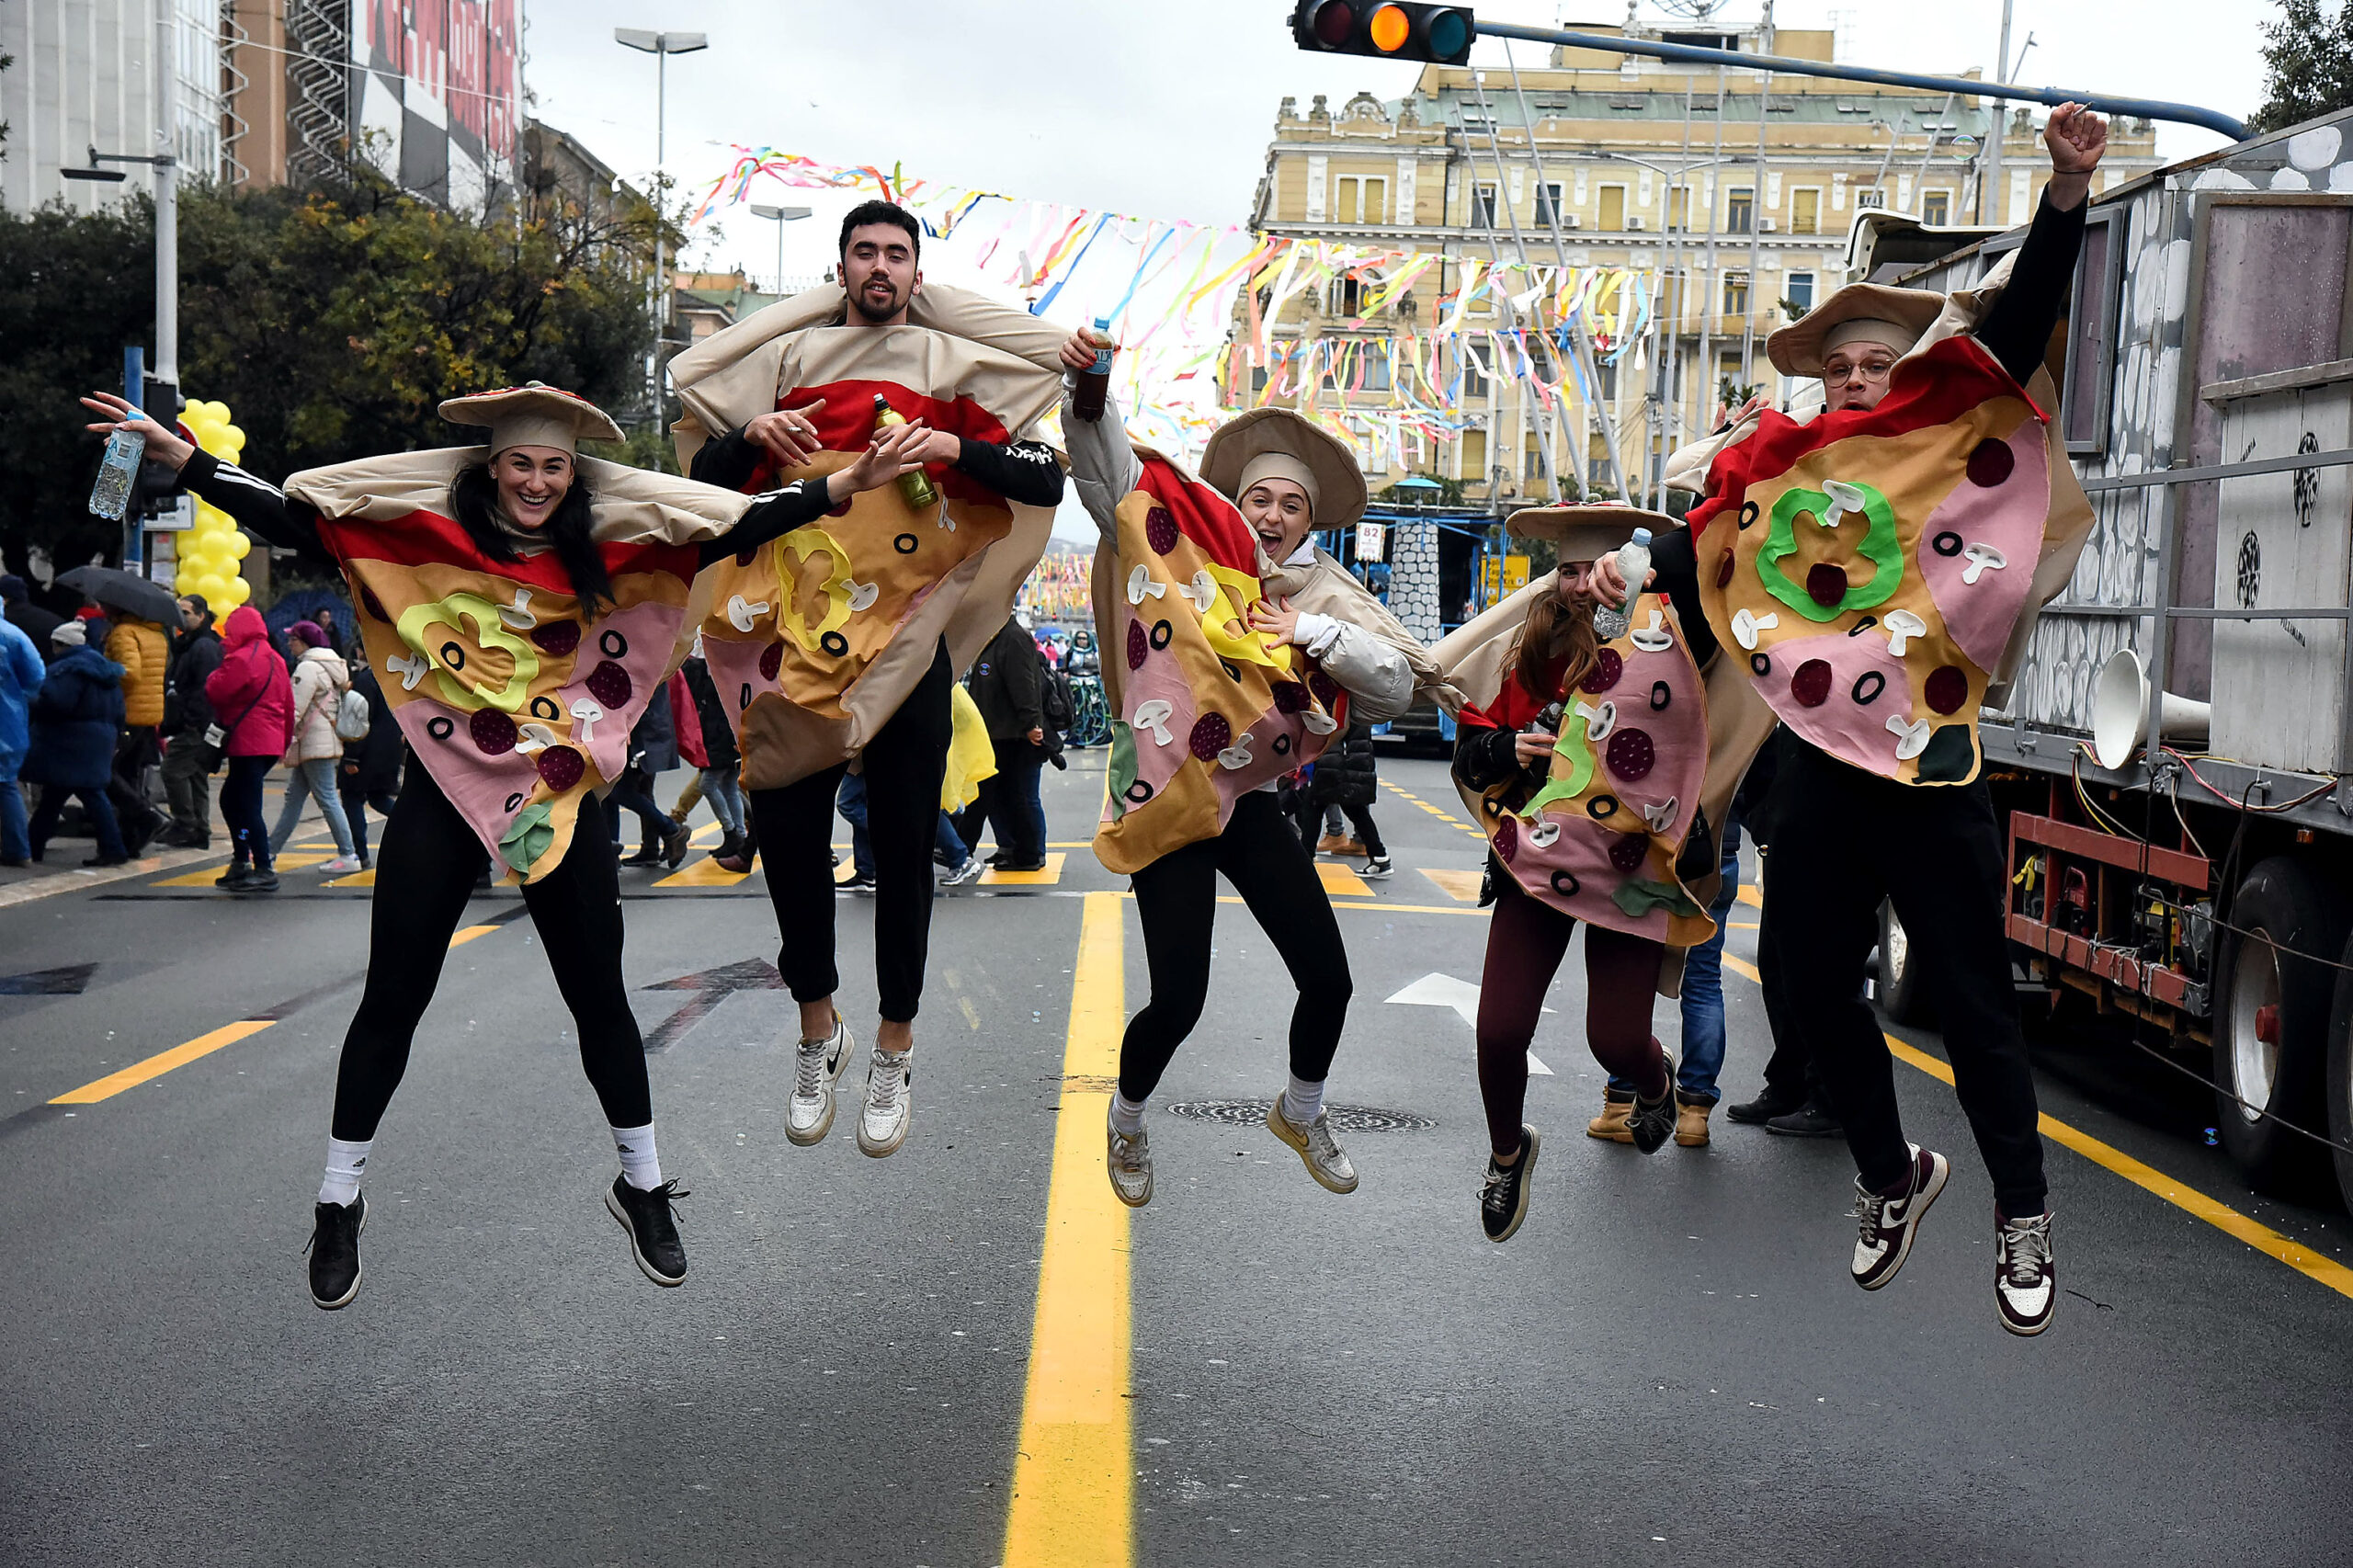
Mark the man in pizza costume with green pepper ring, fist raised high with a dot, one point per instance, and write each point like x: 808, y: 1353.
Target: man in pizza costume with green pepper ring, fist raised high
x: 1879, y: 571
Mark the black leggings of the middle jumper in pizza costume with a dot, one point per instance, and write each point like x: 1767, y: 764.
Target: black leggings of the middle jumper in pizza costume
x: 1178, y: 903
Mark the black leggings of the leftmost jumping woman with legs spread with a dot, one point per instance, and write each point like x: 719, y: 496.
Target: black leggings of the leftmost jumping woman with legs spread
x: 425, y: 875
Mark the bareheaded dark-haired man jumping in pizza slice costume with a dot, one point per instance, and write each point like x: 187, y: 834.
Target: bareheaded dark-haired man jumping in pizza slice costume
x: 841, y: 639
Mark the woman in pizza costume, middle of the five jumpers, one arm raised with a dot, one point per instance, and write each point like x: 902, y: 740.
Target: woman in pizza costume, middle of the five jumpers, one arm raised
x: 1222, y: 684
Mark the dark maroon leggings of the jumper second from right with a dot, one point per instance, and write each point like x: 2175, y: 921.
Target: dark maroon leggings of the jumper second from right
x: 1526, y: 945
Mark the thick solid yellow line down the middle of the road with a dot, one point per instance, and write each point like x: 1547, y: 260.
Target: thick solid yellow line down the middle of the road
x: 1074, y: 1475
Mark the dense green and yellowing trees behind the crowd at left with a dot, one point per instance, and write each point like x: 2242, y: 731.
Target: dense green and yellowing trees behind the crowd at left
x: 331, y: 319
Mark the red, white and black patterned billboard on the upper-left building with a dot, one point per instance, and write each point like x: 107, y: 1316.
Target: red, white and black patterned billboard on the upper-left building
x: 439, y: 86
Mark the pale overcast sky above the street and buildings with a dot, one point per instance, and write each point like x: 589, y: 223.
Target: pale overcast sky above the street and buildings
x: 1166, y: 112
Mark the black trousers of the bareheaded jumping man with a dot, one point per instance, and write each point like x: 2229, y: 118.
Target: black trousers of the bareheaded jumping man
x: 902, y: 766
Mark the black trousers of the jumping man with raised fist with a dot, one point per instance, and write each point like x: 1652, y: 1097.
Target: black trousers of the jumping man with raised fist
x: 1848, y: 842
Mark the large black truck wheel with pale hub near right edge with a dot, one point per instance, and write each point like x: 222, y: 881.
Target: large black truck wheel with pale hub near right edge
x: 2272, y: 1023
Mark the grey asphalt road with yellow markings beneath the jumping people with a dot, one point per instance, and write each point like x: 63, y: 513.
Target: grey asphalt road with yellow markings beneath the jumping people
x: 1667, y: 1364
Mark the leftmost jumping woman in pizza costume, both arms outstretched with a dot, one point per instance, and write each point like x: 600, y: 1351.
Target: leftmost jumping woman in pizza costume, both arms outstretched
x: 521, y: 606
